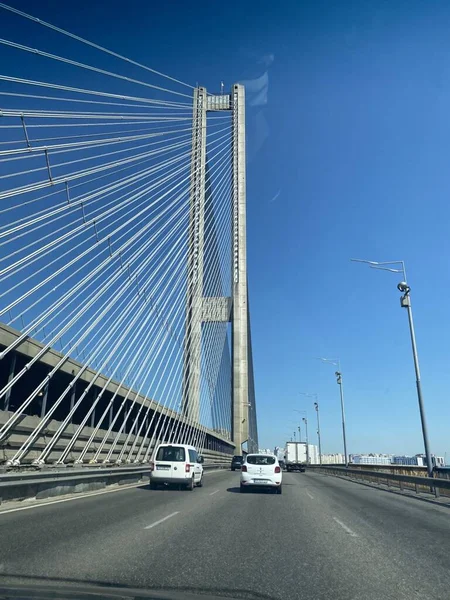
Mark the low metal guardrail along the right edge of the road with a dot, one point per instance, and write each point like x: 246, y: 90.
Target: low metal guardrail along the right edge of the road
x: 432, y: 485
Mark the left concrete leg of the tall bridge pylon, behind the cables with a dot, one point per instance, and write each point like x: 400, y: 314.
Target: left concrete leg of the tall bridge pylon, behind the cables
x: 194, y: 303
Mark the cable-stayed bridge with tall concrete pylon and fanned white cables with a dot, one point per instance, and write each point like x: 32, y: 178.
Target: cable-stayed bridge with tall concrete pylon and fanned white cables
x: 123, y: 298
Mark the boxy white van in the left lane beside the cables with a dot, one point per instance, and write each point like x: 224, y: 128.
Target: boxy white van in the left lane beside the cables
x: 176, y: 464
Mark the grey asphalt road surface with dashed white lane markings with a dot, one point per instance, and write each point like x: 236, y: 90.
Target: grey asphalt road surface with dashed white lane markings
x: 323, y: 538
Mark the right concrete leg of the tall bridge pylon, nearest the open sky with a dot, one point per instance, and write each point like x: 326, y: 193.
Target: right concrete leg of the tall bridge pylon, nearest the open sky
x: 240, y: 424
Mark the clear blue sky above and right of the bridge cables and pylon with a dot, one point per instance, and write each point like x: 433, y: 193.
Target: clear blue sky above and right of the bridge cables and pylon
x: 349, y: 156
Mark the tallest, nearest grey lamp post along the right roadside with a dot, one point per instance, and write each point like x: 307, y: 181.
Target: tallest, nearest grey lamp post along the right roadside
x: 405, y: 302
